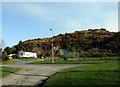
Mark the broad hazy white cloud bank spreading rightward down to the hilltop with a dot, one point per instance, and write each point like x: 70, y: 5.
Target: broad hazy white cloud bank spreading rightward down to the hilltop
x: 72, y: 16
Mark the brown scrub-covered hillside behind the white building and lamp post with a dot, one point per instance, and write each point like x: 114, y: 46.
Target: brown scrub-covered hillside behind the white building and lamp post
x: 91, y: 42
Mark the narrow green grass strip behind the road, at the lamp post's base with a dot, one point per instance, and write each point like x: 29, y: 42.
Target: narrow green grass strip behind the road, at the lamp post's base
x: 76, y: 60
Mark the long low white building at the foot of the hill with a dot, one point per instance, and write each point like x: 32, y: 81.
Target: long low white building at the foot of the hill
x: 23, y: 54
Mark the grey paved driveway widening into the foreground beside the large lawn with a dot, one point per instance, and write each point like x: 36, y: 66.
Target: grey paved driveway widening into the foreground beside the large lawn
x: 33, y: 74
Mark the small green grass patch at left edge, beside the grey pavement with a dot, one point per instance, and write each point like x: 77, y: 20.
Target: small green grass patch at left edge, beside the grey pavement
x: 5, y: 71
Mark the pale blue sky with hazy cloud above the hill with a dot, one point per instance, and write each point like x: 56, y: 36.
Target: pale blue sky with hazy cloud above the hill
x: 23, y: 21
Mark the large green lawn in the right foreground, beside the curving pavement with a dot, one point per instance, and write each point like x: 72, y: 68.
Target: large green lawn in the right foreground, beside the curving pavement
x: 98, y: 74
